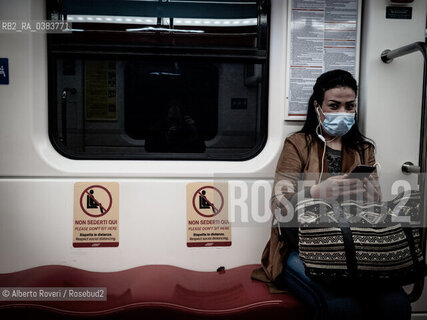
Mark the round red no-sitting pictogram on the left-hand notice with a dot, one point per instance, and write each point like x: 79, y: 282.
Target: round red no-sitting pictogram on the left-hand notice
x: 96, y: 201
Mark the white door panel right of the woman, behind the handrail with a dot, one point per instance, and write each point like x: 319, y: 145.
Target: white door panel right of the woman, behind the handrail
x: 391, y: 94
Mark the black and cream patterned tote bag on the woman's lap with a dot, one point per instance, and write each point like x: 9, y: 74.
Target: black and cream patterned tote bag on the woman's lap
x: 359, y: 241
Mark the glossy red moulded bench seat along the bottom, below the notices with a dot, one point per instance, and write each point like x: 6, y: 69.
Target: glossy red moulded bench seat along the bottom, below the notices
x: 159, y: 291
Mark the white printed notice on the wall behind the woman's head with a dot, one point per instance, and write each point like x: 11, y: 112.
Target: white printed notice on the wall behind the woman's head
x: 323, y: 37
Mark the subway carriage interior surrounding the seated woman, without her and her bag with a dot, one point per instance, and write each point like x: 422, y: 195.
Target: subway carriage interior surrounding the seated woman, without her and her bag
x: 139, y: 141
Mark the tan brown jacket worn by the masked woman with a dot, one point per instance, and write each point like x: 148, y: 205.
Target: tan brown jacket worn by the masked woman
x: 297, y: 164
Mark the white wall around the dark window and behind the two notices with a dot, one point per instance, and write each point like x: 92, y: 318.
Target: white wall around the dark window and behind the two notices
x: 36, y: 183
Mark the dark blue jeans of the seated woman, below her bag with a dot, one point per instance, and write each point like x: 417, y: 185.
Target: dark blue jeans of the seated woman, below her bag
x: 329, y: 303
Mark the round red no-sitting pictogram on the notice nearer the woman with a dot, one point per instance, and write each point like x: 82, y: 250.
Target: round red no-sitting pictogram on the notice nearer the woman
x: 208, y: 204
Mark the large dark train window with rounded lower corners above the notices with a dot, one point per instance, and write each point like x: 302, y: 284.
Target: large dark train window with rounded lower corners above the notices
x: 159, y: 79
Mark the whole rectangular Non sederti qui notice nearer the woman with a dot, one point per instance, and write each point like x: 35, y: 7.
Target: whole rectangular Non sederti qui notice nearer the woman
x: 207, y: 215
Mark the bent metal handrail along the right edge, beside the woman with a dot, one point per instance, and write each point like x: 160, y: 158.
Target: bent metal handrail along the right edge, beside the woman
x: 387, y: 56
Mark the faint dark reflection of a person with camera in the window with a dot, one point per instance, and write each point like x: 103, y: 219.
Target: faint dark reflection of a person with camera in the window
x: 176, y: 133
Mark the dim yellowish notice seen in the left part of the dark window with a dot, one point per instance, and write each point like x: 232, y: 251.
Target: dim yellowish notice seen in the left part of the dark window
x: 100, y: 90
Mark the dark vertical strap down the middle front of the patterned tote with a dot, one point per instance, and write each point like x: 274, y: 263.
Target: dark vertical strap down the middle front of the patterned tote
x: 349, y: 248
